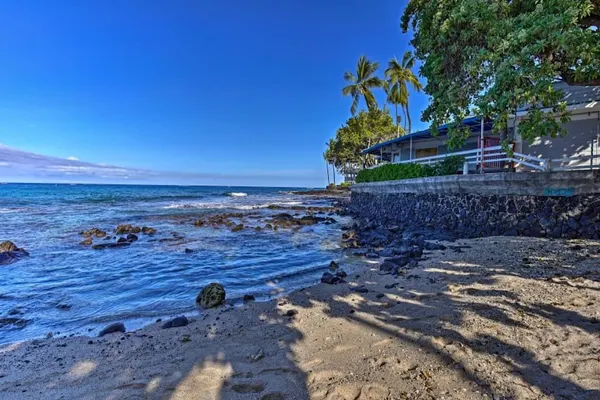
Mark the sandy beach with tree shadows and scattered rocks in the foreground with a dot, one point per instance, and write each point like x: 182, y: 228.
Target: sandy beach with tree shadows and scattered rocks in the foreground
x: 492, y: 318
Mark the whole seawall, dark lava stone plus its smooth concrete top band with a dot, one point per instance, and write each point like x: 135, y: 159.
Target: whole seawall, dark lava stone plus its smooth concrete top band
x: 557, y: 204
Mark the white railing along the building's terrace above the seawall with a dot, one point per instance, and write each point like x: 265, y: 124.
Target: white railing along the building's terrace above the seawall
x: 495, y: 157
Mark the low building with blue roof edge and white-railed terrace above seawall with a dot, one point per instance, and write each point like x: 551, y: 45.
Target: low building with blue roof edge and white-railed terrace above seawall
x: 578, y: 149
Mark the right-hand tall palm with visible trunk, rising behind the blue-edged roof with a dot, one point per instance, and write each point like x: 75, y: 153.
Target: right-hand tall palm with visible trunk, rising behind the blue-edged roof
x: 400, y: 75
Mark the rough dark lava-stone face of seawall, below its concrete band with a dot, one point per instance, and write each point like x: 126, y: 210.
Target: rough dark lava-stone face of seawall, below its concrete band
x: 474, y: 215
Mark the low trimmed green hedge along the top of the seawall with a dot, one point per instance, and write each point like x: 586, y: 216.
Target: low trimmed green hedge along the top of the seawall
x: 392, y: 172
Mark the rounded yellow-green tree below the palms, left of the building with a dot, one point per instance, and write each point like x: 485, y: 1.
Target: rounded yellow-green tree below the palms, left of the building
x: 359, y: 132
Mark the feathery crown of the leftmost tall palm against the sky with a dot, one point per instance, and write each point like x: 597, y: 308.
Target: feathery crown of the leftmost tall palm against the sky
x: 362, y: 83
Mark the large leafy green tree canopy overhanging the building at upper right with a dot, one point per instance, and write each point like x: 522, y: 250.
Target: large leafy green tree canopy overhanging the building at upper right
x: 492, y: 56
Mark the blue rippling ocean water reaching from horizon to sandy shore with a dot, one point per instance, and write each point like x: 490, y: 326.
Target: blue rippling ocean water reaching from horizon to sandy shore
x: 150, y: 278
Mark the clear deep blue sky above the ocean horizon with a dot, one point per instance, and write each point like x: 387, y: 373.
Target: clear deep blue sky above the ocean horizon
x: 199, y: 92
